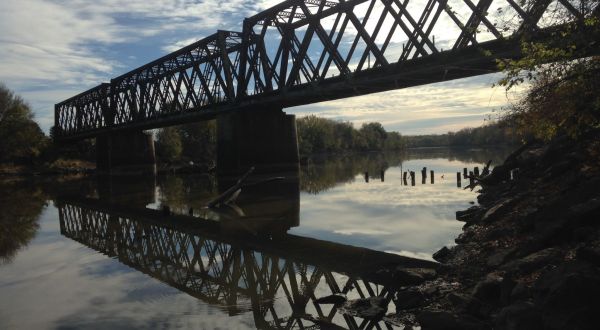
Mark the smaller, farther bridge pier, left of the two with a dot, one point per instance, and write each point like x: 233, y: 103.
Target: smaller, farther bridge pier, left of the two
x: 125, y: 153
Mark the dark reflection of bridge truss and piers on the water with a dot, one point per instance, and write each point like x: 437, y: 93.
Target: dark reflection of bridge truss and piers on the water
x: 241, y: 260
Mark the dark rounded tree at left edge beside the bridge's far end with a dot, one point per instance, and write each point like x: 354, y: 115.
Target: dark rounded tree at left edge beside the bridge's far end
x: 21, y: 139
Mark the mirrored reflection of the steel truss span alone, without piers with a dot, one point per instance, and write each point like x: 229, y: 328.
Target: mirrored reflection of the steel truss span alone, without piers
x: 273, y: 277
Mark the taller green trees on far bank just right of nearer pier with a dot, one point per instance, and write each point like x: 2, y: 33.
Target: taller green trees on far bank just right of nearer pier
x: 322, y: 135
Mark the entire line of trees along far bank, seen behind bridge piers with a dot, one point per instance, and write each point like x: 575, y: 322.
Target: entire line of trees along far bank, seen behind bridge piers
x: 26, y: 150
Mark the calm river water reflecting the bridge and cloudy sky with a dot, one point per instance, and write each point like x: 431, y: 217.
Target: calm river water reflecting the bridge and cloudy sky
x: 87, y: 253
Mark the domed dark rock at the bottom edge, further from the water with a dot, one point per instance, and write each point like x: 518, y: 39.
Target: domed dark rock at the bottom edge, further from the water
x: 519, y: 316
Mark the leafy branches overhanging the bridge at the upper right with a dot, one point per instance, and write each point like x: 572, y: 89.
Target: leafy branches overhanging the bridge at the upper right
x: 563, y: 95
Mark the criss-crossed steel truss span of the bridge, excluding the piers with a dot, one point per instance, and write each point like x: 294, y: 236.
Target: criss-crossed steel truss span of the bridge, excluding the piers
x: 307, y: 46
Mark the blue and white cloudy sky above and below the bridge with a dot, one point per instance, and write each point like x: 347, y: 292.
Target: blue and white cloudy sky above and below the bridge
x: 51, y: 50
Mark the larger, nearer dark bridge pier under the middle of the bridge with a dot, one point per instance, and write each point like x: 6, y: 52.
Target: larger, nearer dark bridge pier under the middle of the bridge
x: 265, y: 138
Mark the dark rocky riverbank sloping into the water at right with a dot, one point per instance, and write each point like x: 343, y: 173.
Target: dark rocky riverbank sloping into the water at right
x: 529, y: 253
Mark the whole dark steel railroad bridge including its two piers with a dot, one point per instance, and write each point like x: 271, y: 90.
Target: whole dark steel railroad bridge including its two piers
x: 295, y: 53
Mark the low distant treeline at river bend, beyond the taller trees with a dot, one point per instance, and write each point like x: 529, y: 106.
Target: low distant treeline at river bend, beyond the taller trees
x: 493, y: 134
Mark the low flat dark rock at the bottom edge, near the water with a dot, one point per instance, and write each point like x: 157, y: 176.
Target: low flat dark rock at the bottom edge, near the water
x: 443, y: 320
